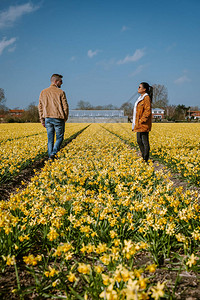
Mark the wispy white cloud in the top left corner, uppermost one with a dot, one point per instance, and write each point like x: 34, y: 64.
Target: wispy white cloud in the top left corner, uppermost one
x: 9, y: 16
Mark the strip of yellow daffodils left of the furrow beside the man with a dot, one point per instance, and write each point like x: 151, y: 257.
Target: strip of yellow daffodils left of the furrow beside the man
x: 20, y: 146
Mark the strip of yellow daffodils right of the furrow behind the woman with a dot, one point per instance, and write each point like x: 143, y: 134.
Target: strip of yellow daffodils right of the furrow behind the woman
x: 176, y: 145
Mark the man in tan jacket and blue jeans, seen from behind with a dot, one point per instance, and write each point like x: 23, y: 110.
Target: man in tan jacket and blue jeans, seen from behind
x: 53, y: 111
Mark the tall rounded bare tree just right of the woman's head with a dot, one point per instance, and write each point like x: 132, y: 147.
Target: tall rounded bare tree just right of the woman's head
x: 160, y: 96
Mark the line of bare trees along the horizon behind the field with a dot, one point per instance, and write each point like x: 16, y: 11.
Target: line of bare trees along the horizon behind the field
x: 160, y: 100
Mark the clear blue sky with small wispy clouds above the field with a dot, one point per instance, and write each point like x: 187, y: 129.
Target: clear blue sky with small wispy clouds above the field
x: 103, y: 49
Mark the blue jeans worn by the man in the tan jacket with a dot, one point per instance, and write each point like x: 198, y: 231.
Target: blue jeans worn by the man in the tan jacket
x: 53, y: 126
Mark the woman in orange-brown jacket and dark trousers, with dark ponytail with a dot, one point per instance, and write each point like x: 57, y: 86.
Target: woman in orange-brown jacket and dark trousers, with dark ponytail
x: 142, y: 118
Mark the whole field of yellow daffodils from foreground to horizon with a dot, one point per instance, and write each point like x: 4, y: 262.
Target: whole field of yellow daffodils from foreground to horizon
x: 98, y: 222
